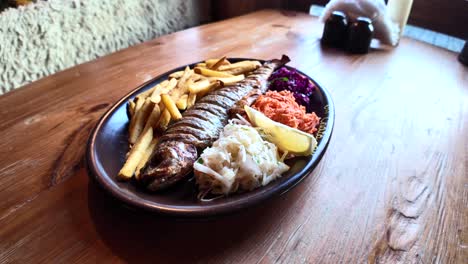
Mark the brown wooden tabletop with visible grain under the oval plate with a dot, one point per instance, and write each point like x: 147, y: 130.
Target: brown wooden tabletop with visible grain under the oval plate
x: 392, y: 186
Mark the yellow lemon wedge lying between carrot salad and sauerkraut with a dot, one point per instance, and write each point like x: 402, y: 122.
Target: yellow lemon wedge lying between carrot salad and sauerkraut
x: 285, y: 138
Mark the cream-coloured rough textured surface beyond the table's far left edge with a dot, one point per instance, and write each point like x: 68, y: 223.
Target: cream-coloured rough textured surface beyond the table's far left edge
x: 49, y: 36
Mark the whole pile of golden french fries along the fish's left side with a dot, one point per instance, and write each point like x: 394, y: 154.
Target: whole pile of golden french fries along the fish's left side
x: 153, y: 110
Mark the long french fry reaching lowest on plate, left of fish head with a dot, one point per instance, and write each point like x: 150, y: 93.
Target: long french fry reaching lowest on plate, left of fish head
x: 136, y: 154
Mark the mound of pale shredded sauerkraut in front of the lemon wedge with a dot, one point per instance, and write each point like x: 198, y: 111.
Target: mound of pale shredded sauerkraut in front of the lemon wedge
x: 240, y: 160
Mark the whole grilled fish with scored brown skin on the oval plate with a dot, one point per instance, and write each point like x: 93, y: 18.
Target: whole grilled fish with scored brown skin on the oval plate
x: 199, y: 127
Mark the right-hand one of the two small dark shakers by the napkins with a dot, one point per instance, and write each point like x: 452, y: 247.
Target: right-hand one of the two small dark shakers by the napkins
x: 360, y: 34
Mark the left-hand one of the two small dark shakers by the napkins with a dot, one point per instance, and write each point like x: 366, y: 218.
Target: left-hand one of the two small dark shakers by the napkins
x: 334, y: 32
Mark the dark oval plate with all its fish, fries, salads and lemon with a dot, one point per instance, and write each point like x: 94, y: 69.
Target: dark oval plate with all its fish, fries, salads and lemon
x: 212, y: 137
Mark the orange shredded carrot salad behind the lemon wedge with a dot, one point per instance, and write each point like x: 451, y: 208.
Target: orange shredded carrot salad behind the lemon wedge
x: 283, y: 108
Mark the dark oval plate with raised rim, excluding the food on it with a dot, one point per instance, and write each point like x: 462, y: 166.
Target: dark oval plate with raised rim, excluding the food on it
x: 108, y: 145
